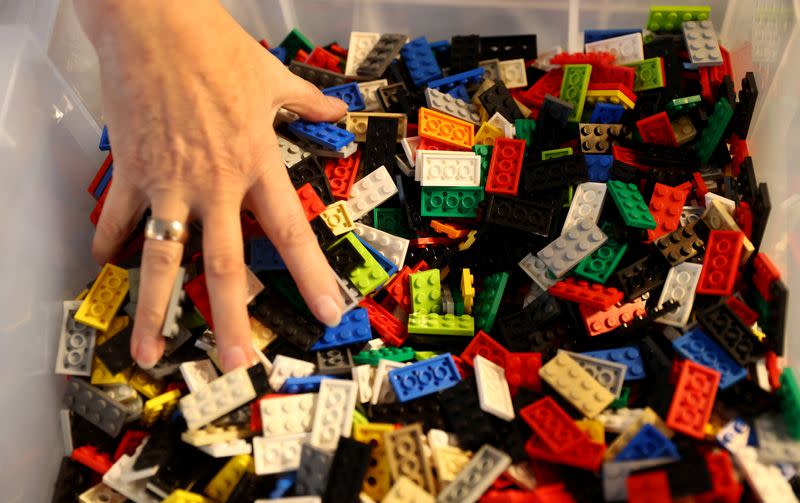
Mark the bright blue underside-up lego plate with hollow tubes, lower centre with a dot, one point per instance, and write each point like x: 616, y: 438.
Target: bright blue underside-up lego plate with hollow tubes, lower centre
x: 424, y: 377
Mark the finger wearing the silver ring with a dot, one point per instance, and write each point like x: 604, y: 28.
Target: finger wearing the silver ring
x: 160, y: 263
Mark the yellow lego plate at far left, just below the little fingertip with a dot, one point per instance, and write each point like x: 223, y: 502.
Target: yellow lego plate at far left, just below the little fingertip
x: 104, y: 298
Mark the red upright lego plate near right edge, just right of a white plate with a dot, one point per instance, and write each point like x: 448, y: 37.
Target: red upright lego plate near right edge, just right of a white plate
x: 723, y: 254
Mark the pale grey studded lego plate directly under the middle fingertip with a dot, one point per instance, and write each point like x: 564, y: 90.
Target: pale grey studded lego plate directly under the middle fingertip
x: 220, y: 397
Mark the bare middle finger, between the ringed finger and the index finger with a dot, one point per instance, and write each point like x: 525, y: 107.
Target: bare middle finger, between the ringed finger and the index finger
x: 223, y: 259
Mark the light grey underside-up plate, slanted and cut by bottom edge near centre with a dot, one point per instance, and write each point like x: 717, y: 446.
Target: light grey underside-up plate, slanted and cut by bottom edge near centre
x: 476, y: 477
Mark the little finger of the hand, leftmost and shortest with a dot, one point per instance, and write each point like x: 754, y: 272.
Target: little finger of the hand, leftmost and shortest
x: 123, y: 207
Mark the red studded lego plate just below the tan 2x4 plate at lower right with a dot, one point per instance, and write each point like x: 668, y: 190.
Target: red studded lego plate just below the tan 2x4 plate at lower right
x: 553, y: 426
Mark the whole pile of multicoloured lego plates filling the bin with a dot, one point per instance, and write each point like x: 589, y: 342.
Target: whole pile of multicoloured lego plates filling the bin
x: 553, y: 288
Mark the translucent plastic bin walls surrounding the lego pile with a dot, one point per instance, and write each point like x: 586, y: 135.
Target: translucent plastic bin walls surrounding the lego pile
x: 50, y: 117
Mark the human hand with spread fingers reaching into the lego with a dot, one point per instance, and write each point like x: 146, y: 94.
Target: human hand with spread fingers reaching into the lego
x: 189, y: 99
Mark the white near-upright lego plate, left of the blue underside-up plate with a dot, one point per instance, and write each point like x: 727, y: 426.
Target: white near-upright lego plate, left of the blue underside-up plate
x: 334, y: 413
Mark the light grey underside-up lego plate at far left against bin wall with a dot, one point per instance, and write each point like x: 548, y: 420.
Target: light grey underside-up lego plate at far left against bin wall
x: 75, y: 344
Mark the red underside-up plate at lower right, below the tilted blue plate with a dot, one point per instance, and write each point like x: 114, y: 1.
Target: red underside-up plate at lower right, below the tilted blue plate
x: 693, y: 400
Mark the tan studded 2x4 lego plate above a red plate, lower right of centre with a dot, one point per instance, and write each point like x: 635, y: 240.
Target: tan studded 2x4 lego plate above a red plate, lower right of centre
x: 576, y: 385
